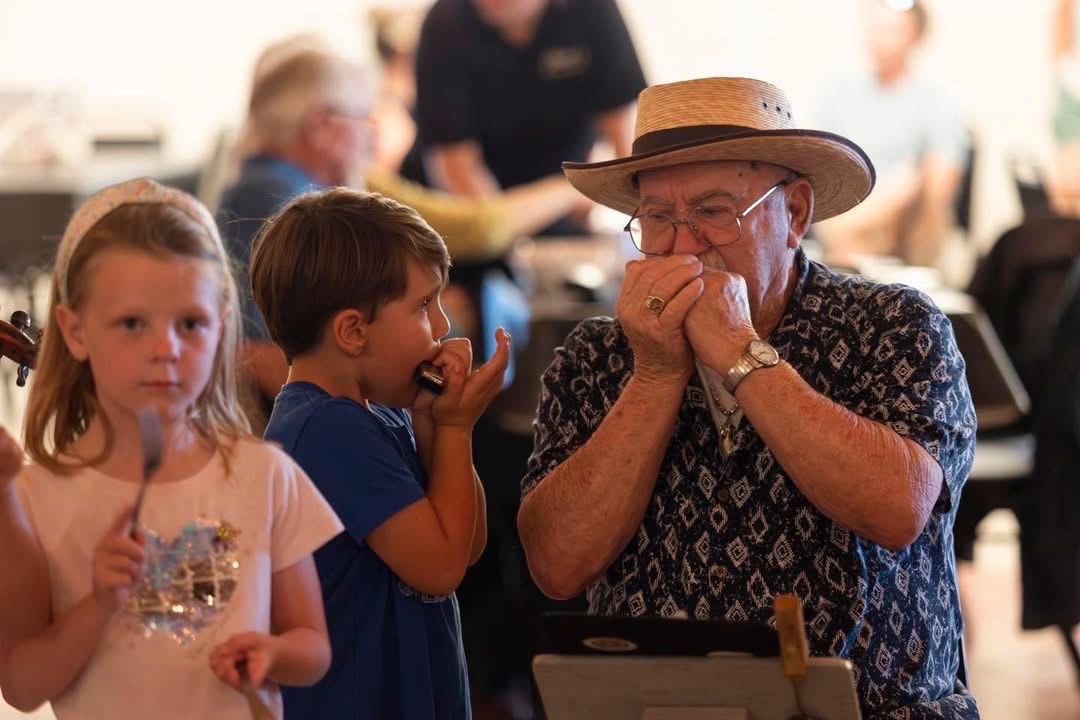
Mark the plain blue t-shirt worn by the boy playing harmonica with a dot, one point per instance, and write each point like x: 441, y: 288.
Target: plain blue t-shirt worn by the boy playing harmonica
x: 398, y: 654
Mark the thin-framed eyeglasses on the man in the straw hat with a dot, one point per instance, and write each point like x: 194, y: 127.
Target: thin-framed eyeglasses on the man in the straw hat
x: 719, y: 225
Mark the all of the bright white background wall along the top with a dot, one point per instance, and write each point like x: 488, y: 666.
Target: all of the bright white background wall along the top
x: 192, y: 70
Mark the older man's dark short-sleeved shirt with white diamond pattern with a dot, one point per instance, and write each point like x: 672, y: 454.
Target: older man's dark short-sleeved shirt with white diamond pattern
x: 722, y: 537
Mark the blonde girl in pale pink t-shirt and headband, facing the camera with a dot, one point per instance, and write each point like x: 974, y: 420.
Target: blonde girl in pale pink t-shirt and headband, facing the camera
x: 215, y: 591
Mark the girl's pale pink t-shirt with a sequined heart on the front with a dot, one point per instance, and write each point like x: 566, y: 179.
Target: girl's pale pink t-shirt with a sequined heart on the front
x: 238, y: 529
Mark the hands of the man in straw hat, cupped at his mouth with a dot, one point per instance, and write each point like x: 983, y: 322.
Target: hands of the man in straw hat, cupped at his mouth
x: 706, y: 315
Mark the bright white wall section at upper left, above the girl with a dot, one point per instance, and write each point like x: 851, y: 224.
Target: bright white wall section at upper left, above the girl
x: 186, y: 63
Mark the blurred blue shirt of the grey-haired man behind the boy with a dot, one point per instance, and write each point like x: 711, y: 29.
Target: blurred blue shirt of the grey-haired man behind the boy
x: 264, y: 187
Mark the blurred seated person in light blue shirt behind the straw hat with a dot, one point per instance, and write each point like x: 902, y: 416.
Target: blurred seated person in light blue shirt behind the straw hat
x: 912, y: 131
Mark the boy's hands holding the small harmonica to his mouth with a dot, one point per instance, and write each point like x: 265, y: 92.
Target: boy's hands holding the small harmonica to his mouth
x: 468, y: 396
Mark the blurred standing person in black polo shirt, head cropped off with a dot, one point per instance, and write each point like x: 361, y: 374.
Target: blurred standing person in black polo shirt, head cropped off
x: 507, y: 90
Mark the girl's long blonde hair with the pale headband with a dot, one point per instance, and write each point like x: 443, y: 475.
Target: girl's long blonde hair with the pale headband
x: 143, y: 216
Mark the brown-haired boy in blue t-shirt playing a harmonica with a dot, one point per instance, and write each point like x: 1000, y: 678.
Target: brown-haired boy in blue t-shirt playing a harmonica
x: 349, y: 286
